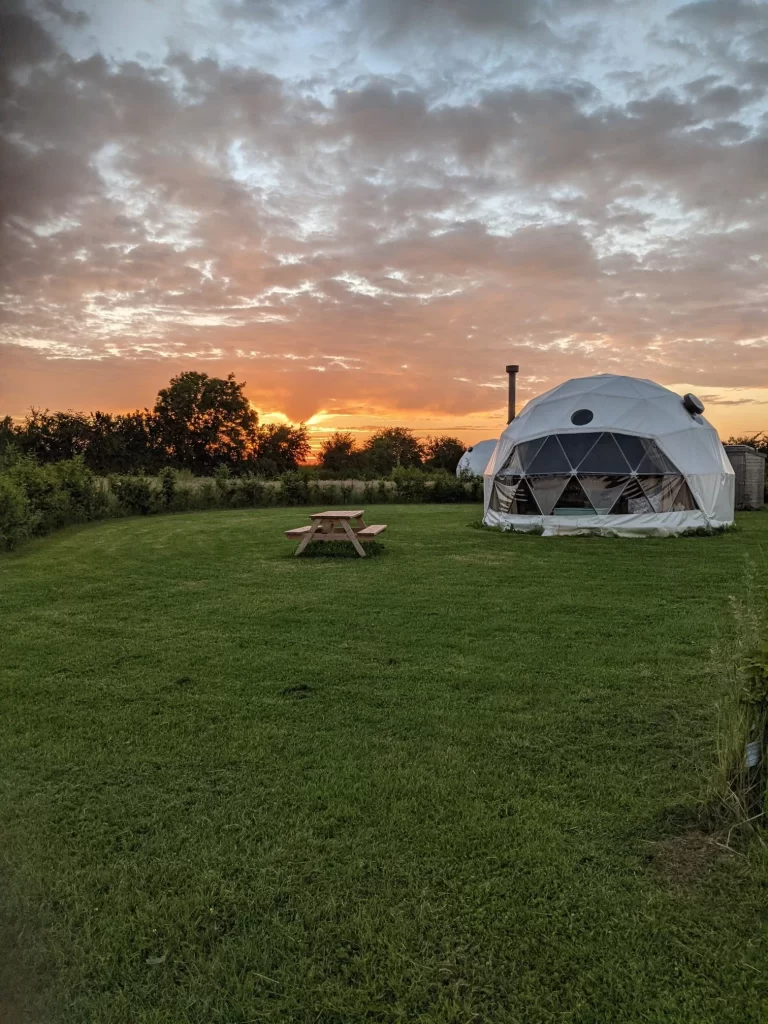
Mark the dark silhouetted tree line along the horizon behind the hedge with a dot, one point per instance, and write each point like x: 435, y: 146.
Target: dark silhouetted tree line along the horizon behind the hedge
x: 206, y: 424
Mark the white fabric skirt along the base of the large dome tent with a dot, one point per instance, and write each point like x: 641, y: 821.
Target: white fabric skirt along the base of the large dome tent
x: 645, y: 525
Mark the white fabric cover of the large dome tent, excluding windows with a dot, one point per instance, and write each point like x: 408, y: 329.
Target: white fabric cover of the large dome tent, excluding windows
x: 630, y: 406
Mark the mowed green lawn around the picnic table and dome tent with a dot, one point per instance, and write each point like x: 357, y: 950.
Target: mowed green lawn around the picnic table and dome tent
x: 456, y: 783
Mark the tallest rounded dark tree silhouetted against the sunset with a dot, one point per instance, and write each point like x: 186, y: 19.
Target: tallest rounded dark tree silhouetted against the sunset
x: 206, y: 421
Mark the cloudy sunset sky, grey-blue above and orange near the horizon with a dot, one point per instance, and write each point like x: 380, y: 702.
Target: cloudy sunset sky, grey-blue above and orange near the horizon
x: 367, y: 208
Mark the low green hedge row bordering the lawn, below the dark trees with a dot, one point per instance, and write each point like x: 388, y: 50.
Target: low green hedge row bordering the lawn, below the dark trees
x: 38, y: 499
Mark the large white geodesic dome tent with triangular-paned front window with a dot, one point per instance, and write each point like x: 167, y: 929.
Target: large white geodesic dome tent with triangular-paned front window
x: 610, y: 455
